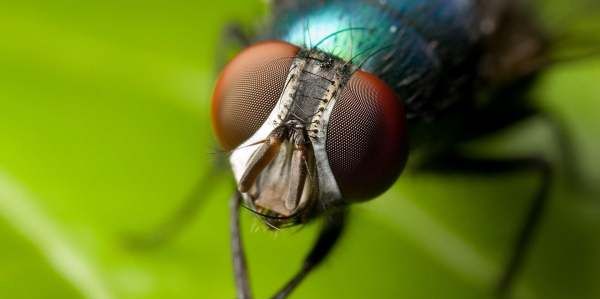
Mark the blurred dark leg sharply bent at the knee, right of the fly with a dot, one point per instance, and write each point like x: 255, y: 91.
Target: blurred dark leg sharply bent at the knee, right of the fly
x: 455, y: 162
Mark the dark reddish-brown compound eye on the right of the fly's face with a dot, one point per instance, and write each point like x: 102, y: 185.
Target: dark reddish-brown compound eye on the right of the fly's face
x: 366, y: 137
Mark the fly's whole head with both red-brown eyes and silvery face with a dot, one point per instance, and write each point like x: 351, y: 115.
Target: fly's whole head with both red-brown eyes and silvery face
x: 308, y: 132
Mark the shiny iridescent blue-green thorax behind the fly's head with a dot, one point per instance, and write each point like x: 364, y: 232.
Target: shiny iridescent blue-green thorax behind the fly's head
x: 413, y: 45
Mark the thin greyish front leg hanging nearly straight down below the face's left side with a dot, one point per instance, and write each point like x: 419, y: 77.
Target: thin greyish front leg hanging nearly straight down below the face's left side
x: 242, y: 283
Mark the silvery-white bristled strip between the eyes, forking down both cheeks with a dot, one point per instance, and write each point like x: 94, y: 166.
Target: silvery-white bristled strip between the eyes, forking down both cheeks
x: 308, y: 99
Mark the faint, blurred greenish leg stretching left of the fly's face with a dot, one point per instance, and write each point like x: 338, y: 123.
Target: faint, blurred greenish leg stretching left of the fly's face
x: 184, y: 214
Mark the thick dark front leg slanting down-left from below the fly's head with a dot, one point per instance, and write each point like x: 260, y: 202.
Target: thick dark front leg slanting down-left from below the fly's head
x: 328, y: 237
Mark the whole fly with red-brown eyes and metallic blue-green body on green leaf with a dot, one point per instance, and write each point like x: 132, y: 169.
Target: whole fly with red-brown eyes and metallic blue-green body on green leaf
x: 322, y: 109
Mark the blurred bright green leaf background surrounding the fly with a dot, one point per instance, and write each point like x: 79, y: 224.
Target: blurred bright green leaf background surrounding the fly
x: 104, y: 129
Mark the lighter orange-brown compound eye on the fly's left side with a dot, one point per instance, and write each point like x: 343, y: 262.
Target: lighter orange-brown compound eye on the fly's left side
x: 248, y: 89
